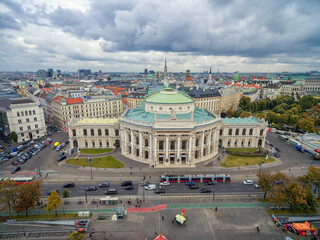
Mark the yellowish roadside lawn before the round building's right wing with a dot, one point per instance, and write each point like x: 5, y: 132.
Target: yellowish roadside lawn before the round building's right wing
x: 238, y: 161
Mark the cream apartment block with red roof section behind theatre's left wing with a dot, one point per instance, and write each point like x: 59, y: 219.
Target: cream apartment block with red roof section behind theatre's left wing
x: 100, y: 106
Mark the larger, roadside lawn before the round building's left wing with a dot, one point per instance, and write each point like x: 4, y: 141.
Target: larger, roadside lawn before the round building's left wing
x: 99, y: 162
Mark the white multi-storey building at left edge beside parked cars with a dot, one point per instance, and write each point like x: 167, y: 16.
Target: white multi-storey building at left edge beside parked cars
x: 22, y: 116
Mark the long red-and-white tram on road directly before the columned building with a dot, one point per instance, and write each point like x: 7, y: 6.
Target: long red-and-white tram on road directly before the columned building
x: 195, y: 178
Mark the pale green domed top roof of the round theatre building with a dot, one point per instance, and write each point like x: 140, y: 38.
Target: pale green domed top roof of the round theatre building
x: 168, y: 95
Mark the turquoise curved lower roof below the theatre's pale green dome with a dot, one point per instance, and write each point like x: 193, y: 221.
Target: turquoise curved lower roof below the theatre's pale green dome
x: 140, y: 115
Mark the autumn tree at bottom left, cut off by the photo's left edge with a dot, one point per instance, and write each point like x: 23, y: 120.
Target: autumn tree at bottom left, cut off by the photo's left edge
x: 8, y: 195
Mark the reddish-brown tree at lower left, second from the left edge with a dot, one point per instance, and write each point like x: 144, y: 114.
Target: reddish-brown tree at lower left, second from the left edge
x: 28, y: 196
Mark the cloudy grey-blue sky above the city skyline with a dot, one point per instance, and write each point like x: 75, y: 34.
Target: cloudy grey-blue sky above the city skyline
x: 121, y: 35
